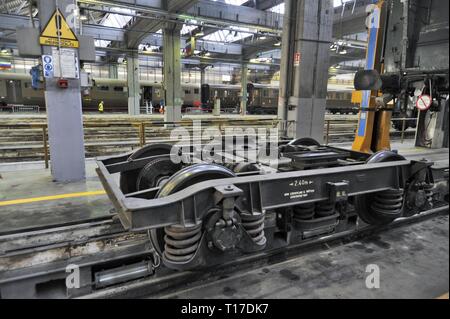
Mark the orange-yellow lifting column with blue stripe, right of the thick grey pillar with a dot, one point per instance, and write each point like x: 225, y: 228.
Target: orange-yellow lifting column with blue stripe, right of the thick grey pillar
x: 374, y: 125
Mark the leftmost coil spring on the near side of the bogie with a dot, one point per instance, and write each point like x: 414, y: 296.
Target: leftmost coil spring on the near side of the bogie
x: 181, y: 243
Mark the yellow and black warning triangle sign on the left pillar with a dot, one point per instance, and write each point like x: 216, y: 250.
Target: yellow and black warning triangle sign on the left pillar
x: 57, y: 32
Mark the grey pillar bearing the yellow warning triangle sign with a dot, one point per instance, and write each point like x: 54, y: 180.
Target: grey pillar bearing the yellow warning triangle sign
x: 64, y: 113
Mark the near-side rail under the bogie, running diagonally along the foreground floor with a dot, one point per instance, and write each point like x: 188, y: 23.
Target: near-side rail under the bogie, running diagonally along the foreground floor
x: 168, y: 285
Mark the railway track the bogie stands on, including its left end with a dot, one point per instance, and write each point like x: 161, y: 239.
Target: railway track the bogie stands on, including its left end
x: 91, y: 243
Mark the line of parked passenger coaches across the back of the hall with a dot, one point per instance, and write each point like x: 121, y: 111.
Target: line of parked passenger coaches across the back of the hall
x: 262, y: 98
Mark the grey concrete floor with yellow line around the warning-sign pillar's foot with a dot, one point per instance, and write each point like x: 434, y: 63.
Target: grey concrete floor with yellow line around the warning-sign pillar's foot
x: 33, y: 183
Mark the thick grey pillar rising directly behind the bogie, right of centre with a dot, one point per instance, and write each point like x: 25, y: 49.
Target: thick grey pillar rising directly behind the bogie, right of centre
x: 307, y: 34
